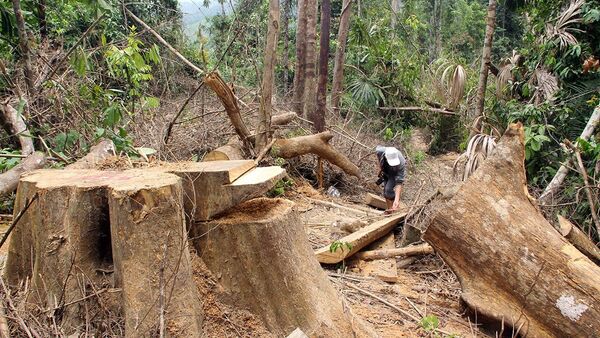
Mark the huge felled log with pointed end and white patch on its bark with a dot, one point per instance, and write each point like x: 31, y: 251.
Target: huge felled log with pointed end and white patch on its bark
x: 513, y: 266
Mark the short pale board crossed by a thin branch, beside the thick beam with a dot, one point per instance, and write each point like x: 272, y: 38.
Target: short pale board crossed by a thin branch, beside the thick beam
x: 384, y: 269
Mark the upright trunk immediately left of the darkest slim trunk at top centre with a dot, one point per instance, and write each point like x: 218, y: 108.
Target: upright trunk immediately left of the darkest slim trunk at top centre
x: 310, y: 86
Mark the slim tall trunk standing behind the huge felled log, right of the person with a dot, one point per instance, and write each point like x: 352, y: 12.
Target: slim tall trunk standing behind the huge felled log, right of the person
x: 485, y: 65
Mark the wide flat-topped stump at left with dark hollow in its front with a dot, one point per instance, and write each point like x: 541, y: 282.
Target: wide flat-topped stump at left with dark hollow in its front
x: 85, y: 221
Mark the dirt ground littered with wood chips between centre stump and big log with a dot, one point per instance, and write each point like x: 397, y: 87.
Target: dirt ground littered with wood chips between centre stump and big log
x: 424, y: 287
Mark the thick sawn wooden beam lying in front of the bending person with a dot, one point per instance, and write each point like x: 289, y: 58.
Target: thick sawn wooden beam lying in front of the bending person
x: 358, y: 240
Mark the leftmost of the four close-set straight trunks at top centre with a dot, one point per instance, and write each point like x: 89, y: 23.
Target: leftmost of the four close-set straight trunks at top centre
x: 300, y: 69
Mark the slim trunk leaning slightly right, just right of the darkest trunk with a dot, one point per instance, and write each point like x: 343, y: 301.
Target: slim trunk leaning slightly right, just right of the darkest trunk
x: 338, y: 68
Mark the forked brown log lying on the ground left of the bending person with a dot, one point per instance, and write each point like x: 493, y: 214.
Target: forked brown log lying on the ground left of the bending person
x: 317, y: 144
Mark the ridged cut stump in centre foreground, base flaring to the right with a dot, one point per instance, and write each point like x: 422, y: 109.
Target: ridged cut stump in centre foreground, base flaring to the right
x: 262, y: 257
